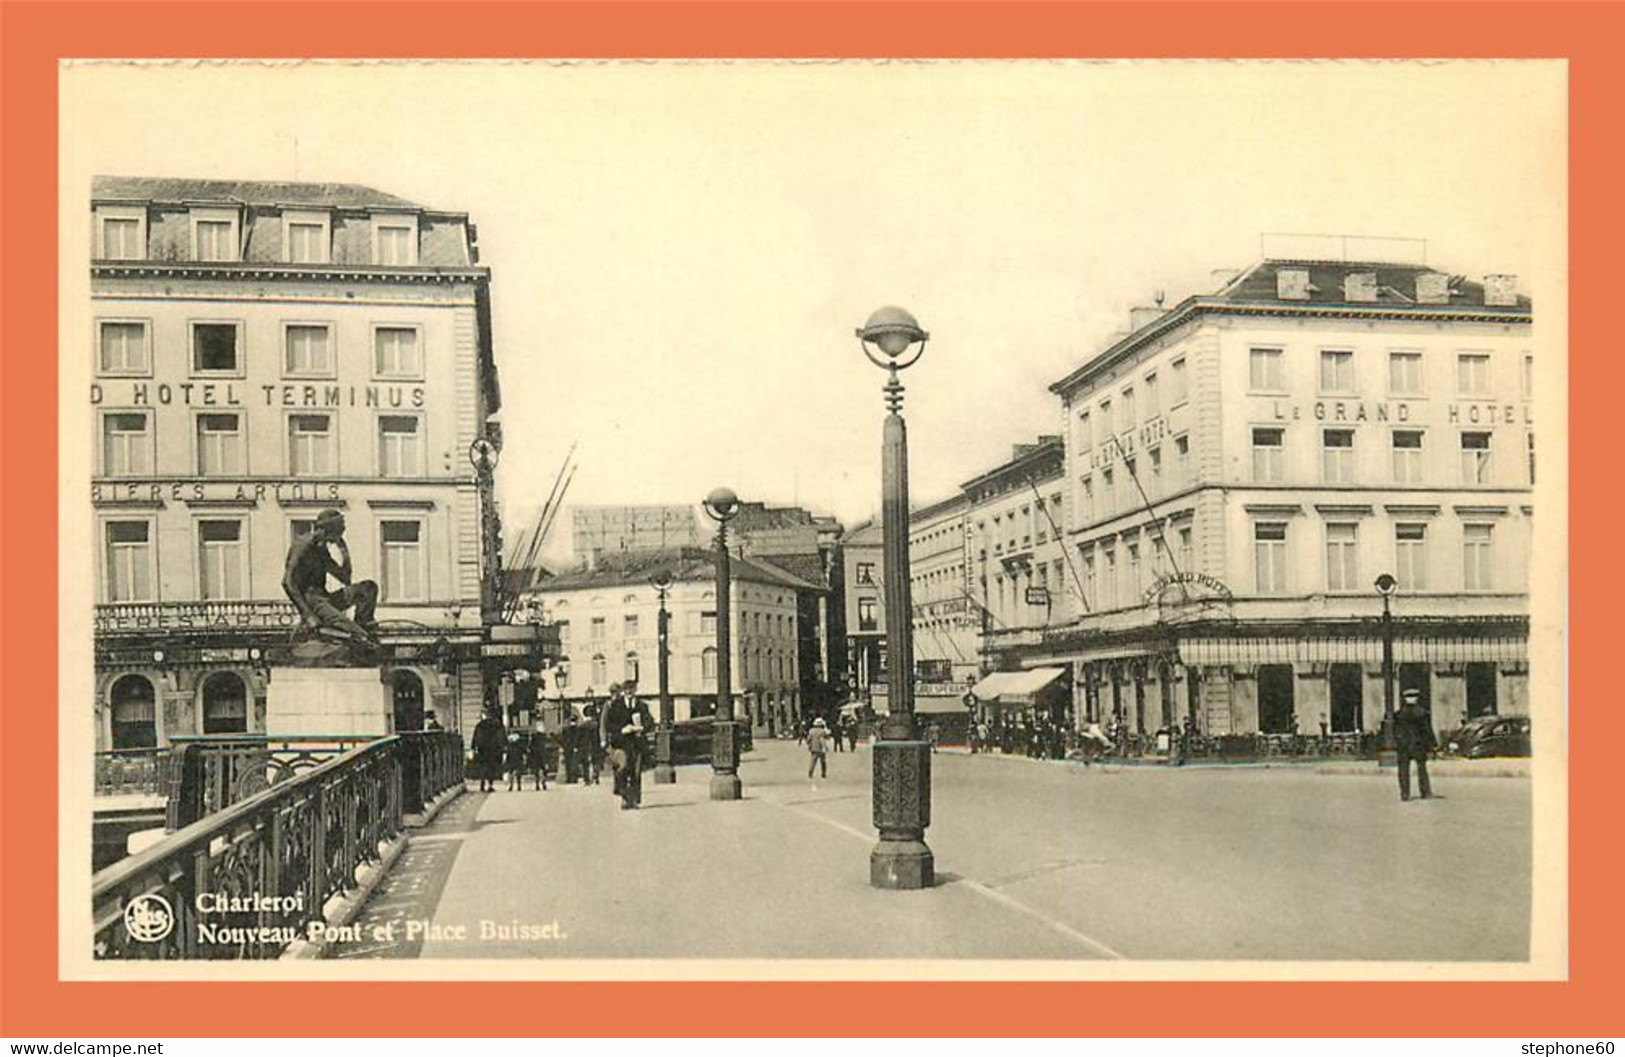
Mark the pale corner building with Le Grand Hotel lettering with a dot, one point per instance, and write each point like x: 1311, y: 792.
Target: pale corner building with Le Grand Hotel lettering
x: 1244, y: 466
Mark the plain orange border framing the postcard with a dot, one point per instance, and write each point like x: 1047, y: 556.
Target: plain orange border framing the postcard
x: 37, y: 35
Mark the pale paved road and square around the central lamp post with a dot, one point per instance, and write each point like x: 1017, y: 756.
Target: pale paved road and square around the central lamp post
x: 1034, y: 861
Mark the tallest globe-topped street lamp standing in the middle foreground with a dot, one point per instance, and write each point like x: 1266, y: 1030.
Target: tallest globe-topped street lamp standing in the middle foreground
x: 903, y: 762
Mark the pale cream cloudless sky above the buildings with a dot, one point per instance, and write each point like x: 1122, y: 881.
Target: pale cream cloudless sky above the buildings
x: 682, y: 251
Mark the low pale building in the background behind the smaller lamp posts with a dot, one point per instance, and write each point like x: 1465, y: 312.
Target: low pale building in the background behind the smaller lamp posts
x: 607, y: 619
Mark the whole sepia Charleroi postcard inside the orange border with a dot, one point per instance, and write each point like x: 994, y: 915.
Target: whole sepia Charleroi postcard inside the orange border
x: 813, y: 520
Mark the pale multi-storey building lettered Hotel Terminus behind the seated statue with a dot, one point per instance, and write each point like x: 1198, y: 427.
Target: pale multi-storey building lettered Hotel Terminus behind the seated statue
x: 264, y: 352
